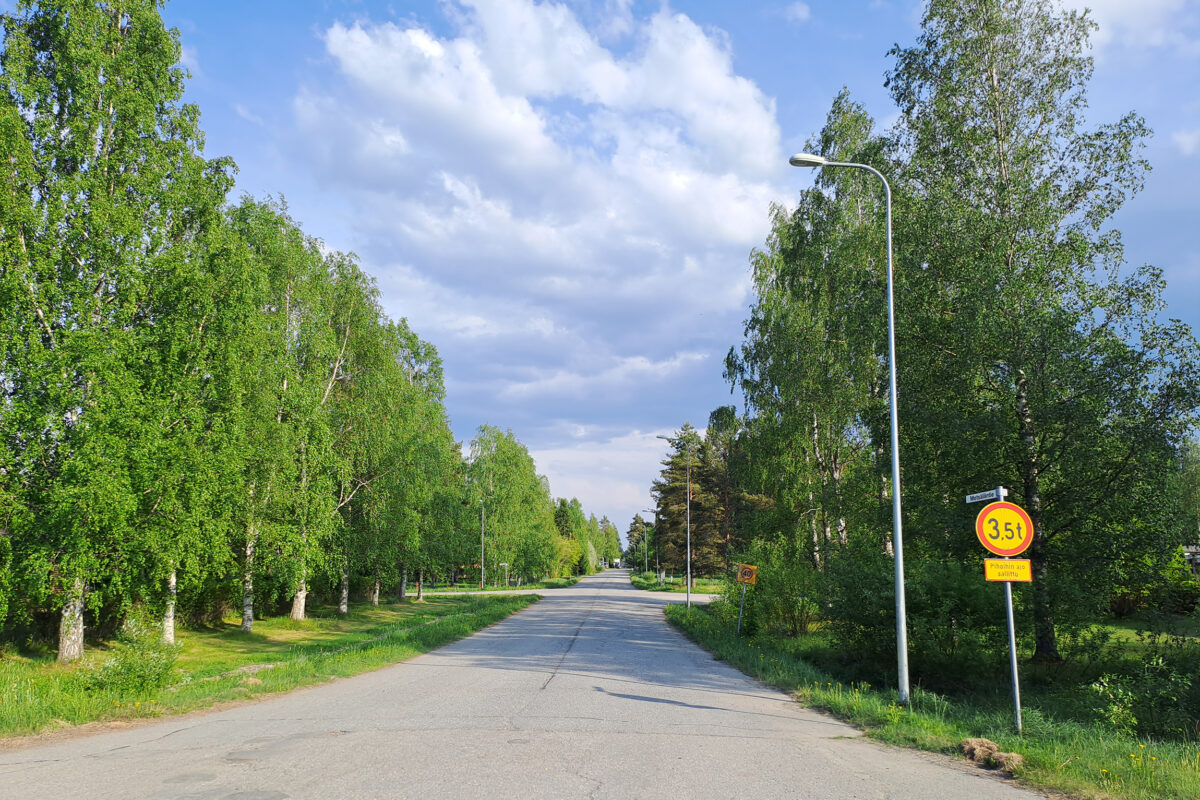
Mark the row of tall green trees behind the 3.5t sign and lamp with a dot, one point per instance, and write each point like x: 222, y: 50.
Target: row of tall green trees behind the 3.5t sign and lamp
x: 1030, y: 354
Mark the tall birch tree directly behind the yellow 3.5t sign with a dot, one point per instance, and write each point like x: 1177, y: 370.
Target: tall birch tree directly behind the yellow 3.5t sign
x: 1035, y: 359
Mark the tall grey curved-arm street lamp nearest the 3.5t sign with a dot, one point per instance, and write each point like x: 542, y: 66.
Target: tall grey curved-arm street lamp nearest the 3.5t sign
x: 809, y: 160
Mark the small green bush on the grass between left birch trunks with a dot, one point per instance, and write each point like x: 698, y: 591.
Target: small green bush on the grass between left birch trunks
x: 139, y: 664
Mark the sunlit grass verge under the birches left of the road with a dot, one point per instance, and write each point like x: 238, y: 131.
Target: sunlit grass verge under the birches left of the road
x: 225, y: 665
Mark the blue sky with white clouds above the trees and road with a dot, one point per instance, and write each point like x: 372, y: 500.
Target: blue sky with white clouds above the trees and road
x: 563, y: 196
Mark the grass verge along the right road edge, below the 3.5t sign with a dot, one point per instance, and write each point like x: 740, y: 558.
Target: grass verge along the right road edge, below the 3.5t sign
x: 1082, y: 761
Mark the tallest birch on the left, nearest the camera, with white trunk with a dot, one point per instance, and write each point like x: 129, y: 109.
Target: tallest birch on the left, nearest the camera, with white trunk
x: 101, y: 182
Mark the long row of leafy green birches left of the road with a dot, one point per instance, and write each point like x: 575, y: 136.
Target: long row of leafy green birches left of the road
x: 202, y: 406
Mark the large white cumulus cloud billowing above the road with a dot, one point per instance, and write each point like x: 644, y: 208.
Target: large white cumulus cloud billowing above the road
x: 563, y: 203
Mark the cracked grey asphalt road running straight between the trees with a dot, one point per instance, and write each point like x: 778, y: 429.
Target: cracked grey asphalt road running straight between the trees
x: 589, y: 694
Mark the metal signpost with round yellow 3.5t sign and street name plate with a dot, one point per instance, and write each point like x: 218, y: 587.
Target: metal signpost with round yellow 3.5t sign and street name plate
x: 1006, y: 530
